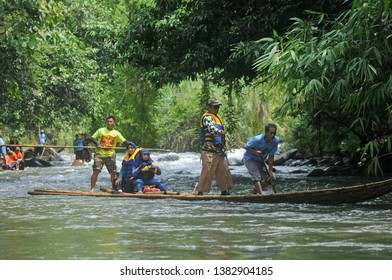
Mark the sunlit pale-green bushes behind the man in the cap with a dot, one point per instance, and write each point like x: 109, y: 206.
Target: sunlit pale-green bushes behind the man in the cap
x: 178, y: 113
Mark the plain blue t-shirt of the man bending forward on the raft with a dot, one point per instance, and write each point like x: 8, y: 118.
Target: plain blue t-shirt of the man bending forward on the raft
x: 258, y: 143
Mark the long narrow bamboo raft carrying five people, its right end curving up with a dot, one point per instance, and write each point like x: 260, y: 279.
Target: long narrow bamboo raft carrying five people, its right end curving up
x: 333, y: 196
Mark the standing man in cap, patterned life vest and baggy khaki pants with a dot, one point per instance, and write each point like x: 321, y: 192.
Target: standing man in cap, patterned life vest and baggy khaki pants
x: 213, y: 145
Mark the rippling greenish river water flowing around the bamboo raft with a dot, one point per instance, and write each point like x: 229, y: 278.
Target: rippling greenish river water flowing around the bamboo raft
x: 102, y: 228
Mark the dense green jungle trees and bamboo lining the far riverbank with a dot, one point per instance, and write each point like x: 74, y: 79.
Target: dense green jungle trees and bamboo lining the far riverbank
x: 320, y: 70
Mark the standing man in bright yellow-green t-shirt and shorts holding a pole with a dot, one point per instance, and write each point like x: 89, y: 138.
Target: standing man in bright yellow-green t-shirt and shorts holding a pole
x: 106, y: 139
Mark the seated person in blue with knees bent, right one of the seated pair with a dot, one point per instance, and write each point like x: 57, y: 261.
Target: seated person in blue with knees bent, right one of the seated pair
x: 144, y: 172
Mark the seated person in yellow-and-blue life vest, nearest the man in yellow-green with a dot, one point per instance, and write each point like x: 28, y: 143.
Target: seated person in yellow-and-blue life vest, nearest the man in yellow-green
x: 124, y: 180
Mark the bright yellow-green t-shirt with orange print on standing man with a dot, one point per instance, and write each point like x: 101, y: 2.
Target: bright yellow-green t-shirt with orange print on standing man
x: 108, y: 138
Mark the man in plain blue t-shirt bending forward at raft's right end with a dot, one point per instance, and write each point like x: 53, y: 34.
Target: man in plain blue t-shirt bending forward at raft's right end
x: 259, y: 149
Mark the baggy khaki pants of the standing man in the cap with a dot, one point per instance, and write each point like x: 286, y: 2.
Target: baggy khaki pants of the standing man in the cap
x: 214, y: 164
